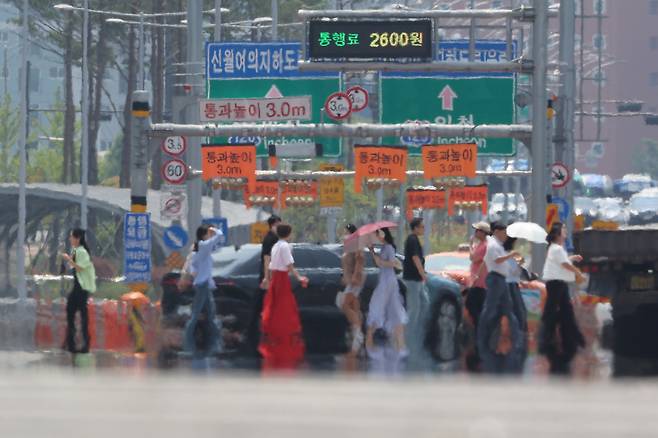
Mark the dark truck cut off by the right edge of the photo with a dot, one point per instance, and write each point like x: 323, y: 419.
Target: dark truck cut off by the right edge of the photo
x: 622, y: 265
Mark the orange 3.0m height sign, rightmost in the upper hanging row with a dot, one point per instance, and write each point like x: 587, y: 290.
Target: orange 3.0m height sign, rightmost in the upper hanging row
x: 450, y: 160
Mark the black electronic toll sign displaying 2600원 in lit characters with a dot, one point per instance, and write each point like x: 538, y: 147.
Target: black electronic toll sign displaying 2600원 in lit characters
x: 394, y: 40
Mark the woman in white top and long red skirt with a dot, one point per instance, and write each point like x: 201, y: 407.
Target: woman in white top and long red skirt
x: 282, y: 345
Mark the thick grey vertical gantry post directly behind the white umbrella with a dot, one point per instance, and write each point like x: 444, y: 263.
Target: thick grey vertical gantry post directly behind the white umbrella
x: 539, y: 126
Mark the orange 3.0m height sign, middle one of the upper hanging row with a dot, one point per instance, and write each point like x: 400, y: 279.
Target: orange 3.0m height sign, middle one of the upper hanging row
x: 389, y: 162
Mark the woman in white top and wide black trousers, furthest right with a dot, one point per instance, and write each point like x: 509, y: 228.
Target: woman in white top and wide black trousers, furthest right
x: 560, y: 336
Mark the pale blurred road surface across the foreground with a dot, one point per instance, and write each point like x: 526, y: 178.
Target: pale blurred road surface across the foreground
x: 87, y: 403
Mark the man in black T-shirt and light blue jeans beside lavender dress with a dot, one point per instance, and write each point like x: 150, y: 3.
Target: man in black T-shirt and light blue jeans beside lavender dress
x: 414, y: 278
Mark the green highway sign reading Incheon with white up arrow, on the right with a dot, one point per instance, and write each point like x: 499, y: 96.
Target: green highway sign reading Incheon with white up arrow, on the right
x: 461, y: 100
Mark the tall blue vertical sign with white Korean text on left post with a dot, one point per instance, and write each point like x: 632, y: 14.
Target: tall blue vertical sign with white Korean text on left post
x: 137, y: 247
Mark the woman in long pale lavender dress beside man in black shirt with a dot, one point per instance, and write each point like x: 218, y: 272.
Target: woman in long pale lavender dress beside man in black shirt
x: 386, y: 308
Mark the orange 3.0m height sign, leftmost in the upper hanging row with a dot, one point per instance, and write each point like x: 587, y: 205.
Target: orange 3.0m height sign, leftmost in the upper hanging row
x: 229, y: 161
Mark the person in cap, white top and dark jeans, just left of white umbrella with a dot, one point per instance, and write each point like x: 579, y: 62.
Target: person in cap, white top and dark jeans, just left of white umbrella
x: 498, y: 330
